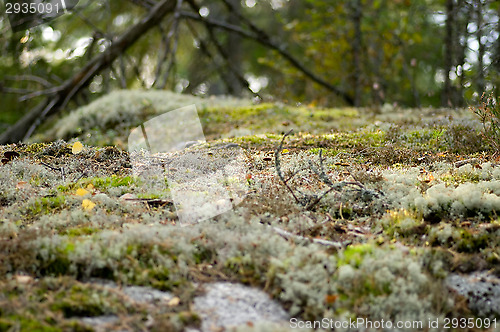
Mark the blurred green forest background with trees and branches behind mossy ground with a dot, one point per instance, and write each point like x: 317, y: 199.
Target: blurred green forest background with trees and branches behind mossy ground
x: 366, y: 53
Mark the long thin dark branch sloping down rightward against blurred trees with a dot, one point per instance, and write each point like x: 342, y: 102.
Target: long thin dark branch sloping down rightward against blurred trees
x: 265, y: 40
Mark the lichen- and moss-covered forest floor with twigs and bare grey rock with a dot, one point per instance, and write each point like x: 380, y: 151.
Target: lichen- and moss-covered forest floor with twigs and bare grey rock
x: 408, y: 230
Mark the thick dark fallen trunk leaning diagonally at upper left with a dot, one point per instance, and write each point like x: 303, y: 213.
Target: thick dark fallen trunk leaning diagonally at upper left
x: 64, y: 93
